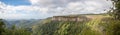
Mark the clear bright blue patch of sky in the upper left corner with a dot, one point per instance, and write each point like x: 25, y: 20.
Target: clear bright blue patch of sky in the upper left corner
x: 16, y: 2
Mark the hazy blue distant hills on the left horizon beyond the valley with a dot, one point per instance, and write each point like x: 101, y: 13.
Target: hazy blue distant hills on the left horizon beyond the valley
x: 22, y: 23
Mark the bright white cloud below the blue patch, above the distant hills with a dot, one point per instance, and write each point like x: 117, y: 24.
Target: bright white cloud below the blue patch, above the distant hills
x: 19, y: 12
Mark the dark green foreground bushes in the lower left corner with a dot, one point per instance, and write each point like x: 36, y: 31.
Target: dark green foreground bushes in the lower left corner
x: 13, y: 30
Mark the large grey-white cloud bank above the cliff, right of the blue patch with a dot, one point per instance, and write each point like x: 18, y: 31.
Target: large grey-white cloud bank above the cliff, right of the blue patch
x: 74, y: 6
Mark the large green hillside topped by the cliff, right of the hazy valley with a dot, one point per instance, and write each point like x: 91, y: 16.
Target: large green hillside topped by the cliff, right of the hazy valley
x: 62, y: 25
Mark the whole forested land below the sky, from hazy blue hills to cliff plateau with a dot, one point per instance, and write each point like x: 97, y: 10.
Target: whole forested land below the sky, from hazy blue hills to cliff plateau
x: 66, y: 25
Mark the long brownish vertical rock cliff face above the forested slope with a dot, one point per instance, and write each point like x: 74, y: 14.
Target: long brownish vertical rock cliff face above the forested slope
x: 69, y: 18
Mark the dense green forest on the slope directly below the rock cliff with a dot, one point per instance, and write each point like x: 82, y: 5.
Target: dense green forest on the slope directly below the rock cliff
x: 60, y: 28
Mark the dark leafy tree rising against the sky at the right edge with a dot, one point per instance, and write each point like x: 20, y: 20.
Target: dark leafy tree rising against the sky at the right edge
x: 116, y: 10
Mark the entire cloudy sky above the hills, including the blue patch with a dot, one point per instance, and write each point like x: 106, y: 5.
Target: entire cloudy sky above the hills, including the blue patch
x: 40, y: 9
